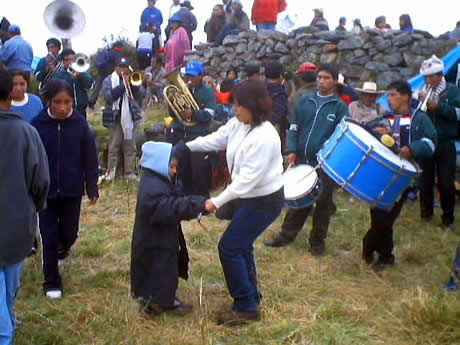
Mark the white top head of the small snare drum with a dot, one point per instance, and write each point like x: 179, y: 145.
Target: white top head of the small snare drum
x: 299, y: 181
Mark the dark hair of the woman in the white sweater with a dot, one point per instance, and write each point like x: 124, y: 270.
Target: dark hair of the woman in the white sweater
x: 253, y: 95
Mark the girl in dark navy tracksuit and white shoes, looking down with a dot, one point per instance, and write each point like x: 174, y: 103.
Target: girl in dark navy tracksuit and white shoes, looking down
x: 73, y: 166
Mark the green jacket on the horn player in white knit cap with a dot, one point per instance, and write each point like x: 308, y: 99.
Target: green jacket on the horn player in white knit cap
x: 446, y: 117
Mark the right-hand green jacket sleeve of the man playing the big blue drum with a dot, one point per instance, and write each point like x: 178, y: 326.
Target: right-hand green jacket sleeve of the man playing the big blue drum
x: 423, y: 136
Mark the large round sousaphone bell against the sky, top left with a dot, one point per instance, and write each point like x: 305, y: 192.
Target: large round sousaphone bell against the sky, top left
x: 64, y: 18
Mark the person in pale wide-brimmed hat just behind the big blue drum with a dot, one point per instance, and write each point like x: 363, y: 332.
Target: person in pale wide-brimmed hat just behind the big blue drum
x: 366, y: 108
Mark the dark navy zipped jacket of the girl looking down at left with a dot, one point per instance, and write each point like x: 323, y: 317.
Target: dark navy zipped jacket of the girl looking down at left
x: 72, y: 155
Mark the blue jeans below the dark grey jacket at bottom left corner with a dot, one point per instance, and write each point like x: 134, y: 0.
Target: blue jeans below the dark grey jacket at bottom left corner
x: 9, y: 285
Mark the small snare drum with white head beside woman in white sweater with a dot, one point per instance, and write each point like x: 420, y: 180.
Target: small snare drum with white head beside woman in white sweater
x: 301, y: 186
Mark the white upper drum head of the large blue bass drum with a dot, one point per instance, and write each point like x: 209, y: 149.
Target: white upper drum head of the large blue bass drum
x: 379, y: 148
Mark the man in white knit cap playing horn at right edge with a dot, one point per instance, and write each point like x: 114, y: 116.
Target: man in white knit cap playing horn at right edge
x: 443, y: 107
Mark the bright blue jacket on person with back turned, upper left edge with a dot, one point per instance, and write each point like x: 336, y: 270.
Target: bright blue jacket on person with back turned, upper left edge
x: 17, y: 53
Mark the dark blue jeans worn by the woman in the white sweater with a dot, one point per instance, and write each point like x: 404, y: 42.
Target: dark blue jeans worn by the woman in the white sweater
x: 236, y: 254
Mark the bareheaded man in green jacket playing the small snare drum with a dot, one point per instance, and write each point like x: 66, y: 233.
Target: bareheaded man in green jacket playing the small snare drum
x: 315, y: 119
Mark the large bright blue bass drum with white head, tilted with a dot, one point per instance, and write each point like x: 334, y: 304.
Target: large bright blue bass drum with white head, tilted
x: 363, y: 166
